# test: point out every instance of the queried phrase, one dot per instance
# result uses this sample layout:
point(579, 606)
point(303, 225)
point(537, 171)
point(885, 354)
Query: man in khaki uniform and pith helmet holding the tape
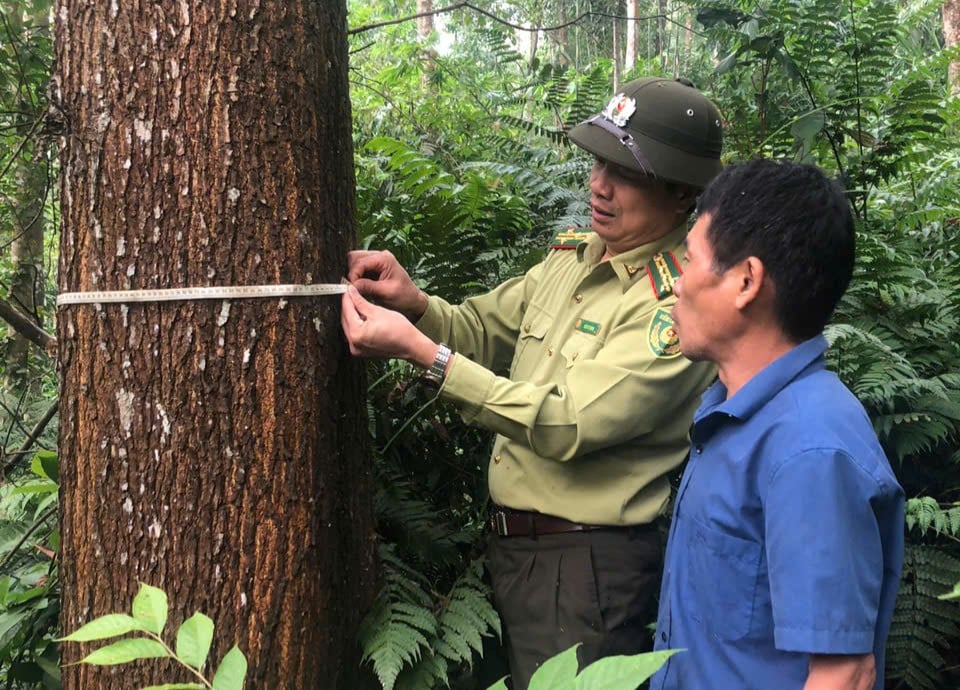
point(598, 401)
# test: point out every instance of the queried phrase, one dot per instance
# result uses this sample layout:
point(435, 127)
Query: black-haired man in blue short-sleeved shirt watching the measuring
point(787, 537)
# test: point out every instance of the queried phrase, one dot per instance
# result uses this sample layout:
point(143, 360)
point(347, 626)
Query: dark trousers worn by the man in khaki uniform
point(595, 588)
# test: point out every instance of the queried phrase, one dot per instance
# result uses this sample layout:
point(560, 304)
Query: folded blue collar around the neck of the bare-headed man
point(763, 386)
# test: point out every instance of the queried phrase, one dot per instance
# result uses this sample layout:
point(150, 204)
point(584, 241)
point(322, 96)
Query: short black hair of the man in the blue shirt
point(798, 222)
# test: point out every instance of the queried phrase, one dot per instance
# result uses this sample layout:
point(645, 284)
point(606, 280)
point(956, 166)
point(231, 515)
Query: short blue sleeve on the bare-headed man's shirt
point(824, 554)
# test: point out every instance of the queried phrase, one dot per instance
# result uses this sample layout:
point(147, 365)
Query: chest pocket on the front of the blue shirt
point(722, 576)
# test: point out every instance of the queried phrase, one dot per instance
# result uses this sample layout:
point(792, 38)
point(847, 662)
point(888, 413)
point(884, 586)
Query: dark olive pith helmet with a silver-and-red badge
point(659, 127)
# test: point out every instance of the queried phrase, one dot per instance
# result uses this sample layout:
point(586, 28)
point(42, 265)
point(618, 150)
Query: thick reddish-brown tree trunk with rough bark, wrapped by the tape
point(213, 449)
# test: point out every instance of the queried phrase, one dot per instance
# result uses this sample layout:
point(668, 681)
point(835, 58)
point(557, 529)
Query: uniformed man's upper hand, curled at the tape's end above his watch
point(380, 276)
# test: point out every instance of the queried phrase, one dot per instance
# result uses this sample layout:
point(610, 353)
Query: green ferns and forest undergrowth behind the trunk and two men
point(464, 173)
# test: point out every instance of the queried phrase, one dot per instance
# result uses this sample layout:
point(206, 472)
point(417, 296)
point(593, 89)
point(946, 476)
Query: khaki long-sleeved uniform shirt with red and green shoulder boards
point(595, 411)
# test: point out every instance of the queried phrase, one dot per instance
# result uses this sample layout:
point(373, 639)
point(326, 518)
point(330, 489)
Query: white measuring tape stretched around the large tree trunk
point(185, 294)
